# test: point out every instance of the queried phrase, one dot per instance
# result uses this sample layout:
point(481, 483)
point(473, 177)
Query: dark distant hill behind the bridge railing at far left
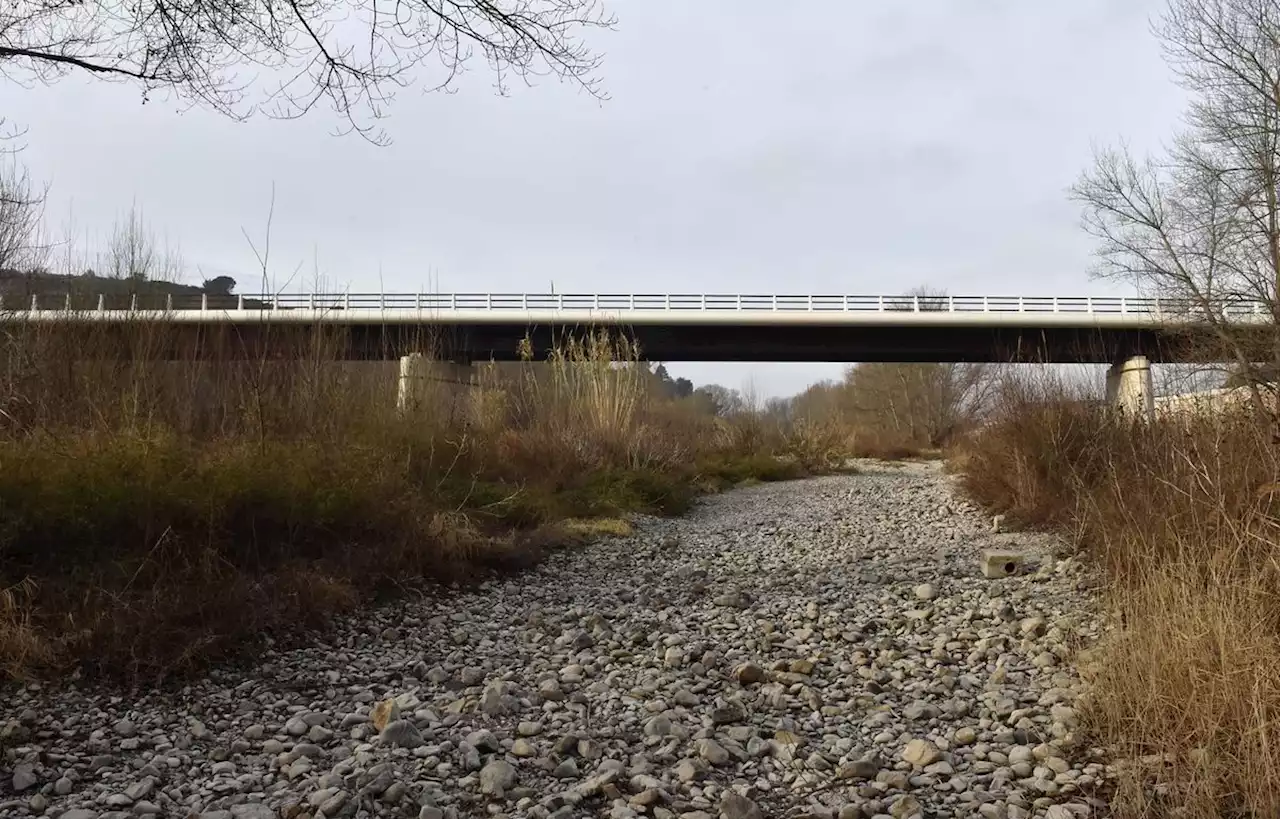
point(17, 289)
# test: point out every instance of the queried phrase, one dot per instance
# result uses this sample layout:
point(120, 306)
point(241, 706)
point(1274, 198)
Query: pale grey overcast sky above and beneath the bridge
point(856, 148)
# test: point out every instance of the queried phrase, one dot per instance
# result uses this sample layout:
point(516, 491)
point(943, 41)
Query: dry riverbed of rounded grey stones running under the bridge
point(824, 648)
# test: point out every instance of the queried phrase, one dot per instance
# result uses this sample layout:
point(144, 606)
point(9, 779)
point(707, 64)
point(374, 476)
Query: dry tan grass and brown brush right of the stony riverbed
point(1185, 520)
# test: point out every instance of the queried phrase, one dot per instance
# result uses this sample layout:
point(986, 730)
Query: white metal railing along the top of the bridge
point(615, 303)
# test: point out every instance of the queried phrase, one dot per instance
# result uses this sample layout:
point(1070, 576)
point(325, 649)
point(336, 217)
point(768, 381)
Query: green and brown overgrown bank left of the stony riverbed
point(157, 518)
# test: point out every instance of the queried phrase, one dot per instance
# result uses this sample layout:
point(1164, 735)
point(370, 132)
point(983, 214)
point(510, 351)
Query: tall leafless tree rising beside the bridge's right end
point(1201, 226)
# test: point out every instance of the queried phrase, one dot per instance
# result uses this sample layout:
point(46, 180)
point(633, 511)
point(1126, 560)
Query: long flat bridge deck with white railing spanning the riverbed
point(775, 328)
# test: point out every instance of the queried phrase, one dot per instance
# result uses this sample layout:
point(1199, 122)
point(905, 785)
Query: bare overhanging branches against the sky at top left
point(349, 54)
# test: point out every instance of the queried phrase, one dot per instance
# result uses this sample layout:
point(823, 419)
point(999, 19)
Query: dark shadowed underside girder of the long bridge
point(671, 342)
